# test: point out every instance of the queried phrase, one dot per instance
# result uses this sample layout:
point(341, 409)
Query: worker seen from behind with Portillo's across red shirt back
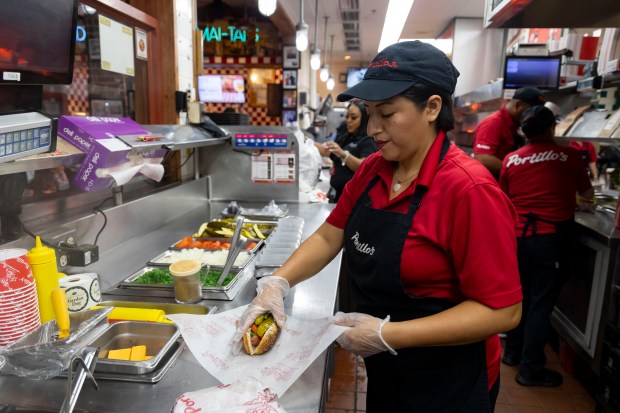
point(542, 180)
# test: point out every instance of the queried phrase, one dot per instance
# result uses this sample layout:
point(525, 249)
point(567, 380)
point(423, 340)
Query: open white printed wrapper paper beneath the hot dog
point(299, 344)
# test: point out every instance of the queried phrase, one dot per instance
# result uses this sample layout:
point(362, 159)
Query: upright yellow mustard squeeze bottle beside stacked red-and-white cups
point(43, 264)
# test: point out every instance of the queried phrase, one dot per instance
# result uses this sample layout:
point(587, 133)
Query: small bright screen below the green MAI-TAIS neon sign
point(221, 89)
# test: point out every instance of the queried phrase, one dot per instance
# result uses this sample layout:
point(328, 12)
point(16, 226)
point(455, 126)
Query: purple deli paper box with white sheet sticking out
point(96, 136)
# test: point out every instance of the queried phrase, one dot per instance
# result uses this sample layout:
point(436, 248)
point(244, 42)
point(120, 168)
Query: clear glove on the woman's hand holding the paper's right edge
point(364, 337)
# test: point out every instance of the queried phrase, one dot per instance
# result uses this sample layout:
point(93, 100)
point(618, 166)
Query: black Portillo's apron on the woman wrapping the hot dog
point(422, 379)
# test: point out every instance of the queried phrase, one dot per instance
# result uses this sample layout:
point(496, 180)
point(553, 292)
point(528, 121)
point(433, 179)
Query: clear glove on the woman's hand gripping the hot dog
point(270, 298)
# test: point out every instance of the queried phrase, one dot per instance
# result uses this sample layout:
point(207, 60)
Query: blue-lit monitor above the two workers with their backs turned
point(542, 72)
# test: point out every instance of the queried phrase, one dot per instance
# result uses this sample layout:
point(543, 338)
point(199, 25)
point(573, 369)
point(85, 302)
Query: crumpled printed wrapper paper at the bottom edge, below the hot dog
point(247, 396)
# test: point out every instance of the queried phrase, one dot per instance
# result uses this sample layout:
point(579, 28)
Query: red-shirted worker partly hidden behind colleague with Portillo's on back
point(497, 134)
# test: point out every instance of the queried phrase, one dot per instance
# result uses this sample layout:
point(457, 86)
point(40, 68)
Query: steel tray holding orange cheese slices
point(158, 338)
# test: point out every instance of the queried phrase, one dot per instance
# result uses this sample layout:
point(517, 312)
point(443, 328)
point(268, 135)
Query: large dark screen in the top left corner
point(37, 41)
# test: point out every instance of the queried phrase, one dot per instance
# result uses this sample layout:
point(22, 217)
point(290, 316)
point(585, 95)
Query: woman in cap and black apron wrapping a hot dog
point(431, 287)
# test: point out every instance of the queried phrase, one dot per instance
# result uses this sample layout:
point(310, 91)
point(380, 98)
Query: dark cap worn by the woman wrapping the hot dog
point(400, 66)
